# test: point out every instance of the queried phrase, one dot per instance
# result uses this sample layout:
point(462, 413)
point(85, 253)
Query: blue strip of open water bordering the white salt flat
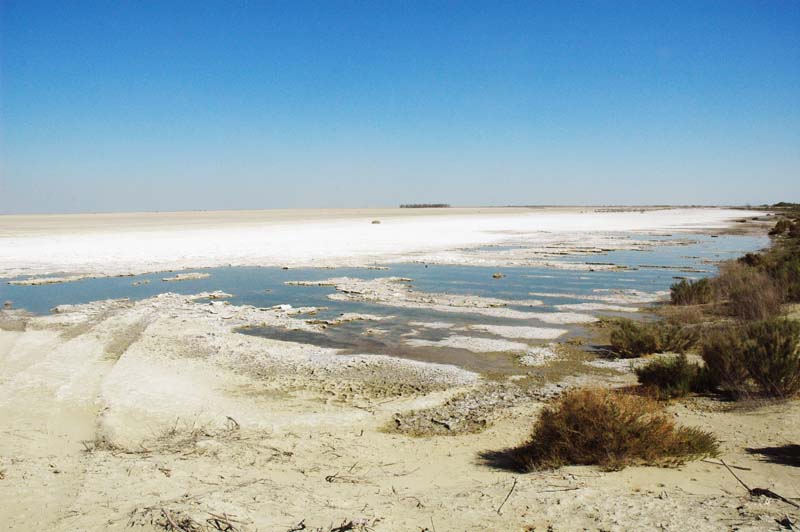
point(649, 271)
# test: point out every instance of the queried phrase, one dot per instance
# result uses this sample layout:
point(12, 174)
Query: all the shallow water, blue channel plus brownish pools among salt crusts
point(647, 271)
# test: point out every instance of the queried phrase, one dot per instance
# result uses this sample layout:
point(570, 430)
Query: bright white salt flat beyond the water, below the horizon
point(115, 244)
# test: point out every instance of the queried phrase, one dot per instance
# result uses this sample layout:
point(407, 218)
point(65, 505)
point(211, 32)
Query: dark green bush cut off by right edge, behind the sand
point(771, 354)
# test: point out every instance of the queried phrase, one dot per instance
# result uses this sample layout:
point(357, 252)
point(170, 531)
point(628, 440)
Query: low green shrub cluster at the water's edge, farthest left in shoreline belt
point(631, 339)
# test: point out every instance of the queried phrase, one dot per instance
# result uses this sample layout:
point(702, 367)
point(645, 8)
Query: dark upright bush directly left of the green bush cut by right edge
point(724, 370)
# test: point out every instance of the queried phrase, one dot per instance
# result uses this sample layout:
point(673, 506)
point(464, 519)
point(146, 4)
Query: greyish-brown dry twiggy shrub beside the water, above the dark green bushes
point(751, 294)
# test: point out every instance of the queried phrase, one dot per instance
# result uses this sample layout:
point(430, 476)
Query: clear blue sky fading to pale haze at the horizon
point(168, 105)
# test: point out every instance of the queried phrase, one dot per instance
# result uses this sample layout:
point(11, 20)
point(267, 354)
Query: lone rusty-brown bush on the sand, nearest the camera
point(612, 430)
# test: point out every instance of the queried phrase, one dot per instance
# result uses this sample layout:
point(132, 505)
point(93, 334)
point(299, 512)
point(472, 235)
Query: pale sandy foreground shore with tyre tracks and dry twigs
point(118, 414)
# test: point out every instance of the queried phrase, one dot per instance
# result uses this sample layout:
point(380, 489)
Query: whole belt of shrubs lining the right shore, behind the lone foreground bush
point(747, 349)
